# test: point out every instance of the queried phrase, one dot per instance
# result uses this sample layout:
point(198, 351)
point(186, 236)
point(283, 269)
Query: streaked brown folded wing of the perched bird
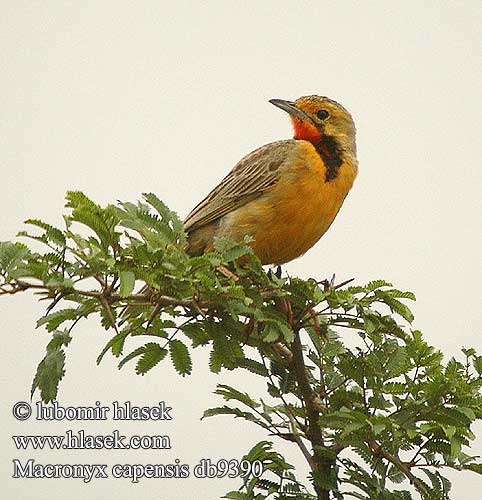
point(251, 177)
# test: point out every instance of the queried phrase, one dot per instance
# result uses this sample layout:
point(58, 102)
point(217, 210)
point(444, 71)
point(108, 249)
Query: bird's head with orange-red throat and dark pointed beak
point(315, 117)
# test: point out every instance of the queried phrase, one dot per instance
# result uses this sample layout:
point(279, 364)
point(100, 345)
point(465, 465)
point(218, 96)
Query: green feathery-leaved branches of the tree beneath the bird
point(345, 372)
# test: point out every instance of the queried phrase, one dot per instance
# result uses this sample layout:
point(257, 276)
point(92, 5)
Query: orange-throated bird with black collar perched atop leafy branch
point(287, 193)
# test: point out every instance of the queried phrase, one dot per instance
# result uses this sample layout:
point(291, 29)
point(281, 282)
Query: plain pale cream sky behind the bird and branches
point(119, 98)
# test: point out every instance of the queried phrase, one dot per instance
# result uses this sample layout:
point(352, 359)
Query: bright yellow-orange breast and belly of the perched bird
point(289, 219)
